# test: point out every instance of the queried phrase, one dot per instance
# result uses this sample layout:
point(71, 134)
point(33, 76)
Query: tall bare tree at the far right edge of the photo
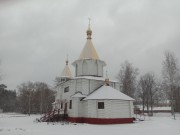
point(171, 78)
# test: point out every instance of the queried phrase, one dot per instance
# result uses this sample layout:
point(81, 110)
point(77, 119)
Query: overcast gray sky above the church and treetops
point(37, 35)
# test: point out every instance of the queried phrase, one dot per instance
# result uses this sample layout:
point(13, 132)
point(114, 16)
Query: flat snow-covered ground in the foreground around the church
point(18, 124)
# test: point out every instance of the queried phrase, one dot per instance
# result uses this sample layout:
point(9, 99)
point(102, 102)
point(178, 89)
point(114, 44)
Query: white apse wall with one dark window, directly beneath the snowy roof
point(112, 109)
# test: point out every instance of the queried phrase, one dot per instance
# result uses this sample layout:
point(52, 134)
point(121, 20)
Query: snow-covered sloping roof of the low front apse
point(107, 92)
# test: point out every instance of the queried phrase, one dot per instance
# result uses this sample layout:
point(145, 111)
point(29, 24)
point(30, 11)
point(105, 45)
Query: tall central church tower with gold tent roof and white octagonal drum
point(89, 63)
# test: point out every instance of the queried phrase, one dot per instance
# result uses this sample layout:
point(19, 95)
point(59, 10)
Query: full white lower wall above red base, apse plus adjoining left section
point(89, 109)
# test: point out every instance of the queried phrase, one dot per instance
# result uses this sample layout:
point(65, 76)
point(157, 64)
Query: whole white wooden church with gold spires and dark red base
point(88, 96)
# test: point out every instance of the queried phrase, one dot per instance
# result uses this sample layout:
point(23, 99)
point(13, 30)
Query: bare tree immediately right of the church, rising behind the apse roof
point(127, 78)
